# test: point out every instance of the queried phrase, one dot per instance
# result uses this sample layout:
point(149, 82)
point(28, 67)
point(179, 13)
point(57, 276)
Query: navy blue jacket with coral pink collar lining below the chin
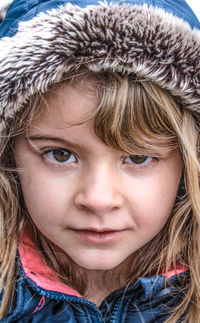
point(41, 298)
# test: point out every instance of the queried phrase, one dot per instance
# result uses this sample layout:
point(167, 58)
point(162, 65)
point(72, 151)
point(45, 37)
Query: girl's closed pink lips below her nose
point(99, 236)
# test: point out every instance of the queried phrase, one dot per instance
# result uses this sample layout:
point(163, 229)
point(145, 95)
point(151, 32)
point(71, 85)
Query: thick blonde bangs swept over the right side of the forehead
point(135, 115)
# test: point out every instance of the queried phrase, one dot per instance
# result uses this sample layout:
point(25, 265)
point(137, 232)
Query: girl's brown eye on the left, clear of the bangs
point(60, 156)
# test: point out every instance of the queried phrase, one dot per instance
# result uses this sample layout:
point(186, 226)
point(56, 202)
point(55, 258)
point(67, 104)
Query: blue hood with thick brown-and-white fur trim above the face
point(160, 42)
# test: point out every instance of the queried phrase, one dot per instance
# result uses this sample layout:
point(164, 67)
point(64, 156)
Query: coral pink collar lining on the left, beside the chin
point(37, 271)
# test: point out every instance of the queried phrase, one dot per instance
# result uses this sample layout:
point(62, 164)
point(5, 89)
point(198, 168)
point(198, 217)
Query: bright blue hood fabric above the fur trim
point(23, 10)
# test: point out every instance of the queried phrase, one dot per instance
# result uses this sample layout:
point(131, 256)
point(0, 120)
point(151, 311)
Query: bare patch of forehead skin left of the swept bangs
point(67, 103)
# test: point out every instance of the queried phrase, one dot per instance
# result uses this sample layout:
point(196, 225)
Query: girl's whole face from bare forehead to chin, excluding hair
point(96, 204)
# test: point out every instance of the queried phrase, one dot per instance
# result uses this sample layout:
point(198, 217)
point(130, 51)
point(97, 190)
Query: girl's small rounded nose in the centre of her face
point(99, 191)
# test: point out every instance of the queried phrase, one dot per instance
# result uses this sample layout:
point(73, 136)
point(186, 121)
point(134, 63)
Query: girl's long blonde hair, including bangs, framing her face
point(132, 115)
